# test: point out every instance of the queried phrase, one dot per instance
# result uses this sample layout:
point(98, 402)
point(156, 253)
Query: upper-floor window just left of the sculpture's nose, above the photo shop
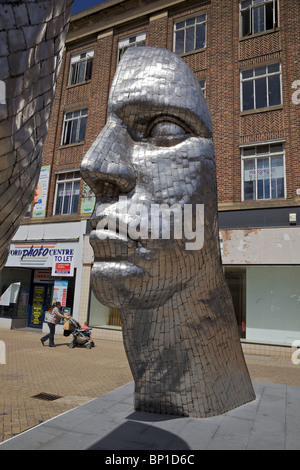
point(67, 193)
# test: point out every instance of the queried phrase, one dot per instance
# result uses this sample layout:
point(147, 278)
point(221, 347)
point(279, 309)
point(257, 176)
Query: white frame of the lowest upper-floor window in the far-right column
point(258, 156)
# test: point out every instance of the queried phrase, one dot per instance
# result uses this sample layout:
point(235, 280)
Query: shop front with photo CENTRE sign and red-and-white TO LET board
point(36, 275)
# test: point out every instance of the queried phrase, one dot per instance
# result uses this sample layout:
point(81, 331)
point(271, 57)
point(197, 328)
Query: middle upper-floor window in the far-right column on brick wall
point(261, 87)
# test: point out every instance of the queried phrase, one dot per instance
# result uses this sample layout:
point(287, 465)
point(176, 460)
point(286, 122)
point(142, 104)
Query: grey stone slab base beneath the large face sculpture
point(109, 422)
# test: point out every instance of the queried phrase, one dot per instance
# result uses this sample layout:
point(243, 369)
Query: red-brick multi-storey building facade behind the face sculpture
point(246, 56)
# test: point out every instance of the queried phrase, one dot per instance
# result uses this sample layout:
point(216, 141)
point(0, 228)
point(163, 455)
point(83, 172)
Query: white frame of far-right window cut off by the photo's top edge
point(254, 4)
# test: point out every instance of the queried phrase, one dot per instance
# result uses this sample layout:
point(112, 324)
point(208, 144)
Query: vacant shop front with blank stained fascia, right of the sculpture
point(262, 268)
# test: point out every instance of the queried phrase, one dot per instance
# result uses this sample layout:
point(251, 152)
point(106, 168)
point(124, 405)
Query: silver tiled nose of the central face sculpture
point(109, 160)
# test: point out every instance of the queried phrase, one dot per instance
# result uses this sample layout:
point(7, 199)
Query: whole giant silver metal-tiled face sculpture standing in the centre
point(179, 326)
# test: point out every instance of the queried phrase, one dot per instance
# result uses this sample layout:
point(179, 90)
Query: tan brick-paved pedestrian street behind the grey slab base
point(80, 375)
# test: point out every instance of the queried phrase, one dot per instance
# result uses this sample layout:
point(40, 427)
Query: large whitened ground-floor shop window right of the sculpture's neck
point(269, 298)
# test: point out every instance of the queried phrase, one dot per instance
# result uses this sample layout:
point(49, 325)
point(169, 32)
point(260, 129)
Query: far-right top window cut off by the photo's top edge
point(257, 16)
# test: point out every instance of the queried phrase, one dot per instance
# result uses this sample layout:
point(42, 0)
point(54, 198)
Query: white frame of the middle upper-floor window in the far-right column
point(257, 77)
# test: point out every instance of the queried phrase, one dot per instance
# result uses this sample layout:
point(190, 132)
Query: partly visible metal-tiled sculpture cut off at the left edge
point(32, 36)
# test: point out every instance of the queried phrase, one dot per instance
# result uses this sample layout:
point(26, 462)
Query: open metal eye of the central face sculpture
point(167, 132)
